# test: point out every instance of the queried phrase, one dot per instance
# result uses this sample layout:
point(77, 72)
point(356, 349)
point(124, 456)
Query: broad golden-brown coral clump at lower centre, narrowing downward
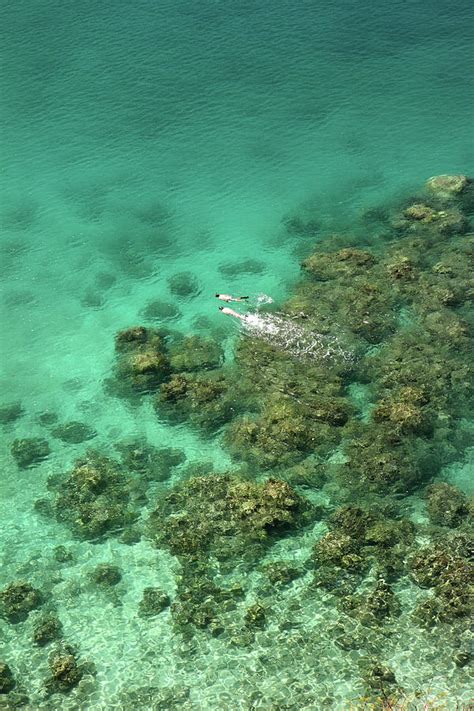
point(220, 516)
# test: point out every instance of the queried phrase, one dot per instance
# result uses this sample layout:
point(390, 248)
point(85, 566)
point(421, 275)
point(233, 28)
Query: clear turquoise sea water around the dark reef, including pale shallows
point(140, 142)
